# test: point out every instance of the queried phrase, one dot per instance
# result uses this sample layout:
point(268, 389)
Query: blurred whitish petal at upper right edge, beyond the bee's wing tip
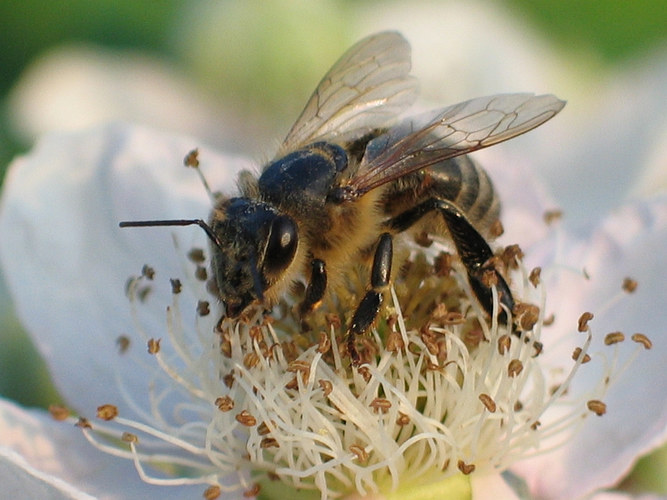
point(603, 146)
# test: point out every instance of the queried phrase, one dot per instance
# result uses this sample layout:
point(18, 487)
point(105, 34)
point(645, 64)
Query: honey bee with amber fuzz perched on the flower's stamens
point(350, 178)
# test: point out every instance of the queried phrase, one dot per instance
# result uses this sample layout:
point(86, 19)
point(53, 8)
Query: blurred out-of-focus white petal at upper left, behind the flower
point(76, 87)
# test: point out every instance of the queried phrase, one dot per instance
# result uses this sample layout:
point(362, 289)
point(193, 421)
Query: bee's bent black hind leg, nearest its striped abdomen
point(472, 248)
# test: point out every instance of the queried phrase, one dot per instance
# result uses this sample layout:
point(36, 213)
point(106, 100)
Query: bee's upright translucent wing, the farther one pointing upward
point(367, 87)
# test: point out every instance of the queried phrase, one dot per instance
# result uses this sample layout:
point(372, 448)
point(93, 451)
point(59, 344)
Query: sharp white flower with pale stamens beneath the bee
point(67, 262)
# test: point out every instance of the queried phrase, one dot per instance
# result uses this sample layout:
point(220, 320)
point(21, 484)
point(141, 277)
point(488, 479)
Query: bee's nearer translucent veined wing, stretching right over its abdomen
point(425, 140)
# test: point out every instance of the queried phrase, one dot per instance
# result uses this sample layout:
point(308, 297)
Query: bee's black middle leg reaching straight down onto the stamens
point(369, 306)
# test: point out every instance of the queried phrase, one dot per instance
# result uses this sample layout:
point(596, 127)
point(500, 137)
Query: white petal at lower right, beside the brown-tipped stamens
point(631, 243)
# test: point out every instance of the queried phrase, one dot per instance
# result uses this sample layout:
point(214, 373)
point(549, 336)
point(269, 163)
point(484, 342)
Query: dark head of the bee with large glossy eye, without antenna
point(253, 247)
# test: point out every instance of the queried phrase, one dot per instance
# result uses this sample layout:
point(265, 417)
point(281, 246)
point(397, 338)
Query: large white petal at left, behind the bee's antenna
point(66, 260)
